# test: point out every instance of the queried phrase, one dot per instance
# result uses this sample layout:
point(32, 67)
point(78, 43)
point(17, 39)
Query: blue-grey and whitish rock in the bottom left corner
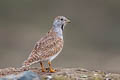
point(26, 75)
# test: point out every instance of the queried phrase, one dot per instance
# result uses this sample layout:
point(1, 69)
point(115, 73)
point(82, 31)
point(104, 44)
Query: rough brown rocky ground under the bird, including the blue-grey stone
point(60, 74)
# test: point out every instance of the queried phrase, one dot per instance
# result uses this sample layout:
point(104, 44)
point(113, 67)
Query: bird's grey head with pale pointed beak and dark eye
point(60, 22)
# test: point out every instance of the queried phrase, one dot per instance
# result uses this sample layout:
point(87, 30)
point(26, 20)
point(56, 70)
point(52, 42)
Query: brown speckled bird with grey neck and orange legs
point(49, 46)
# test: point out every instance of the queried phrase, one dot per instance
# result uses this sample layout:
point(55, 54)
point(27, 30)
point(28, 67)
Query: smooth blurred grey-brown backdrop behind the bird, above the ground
point(92, 40)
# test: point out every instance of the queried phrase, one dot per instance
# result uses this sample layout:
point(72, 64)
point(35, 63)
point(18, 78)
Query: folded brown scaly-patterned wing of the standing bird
point(45, 47)
